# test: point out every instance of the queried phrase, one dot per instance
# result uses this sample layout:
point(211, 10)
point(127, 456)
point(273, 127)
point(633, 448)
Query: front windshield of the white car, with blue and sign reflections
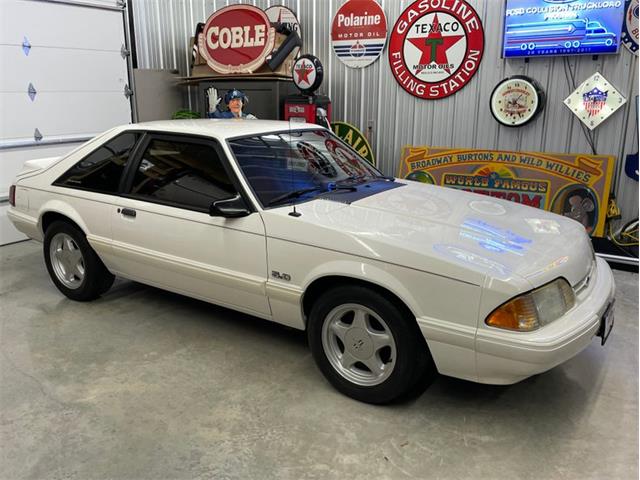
point(299, 165)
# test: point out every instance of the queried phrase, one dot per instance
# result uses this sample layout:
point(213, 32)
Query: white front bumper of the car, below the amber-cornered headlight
point(507, 357)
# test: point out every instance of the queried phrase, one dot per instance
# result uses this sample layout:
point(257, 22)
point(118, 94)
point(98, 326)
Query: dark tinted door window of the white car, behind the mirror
point(182, 173)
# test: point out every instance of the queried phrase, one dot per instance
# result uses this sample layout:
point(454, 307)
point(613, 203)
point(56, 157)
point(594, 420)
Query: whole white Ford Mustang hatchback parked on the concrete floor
point(392, 280)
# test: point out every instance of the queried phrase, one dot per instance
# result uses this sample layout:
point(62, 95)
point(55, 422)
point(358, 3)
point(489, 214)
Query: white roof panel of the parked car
point(221, 128)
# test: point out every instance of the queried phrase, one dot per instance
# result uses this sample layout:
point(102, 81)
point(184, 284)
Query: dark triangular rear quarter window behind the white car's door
point(100, 171)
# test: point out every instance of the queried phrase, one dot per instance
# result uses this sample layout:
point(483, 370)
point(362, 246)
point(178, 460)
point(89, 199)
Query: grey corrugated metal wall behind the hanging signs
point(371, 99)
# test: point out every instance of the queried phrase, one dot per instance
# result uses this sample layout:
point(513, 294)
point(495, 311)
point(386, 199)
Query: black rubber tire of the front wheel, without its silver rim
point(411, 351)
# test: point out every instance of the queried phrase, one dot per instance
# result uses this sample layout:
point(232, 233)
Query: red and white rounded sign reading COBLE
point(237, 39)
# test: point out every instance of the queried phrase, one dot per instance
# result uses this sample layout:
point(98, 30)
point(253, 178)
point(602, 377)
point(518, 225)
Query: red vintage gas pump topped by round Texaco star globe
point(308, 107)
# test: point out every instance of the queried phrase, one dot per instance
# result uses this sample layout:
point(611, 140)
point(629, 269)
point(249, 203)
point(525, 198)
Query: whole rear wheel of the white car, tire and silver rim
point(72, 264)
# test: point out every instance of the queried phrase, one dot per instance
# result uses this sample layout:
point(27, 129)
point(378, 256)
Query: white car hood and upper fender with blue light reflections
point(443, 231)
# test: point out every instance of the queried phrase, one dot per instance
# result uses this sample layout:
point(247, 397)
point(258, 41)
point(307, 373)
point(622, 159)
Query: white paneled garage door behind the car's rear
point(63, 81)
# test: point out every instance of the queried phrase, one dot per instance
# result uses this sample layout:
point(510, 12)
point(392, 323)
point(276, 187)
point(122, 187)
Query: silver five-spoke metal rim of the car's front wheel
point(367, 339)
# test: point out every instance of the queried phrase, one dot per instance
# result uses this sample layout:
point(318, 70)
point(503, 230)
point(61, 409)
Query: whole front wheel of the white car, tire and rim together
point(367, 347)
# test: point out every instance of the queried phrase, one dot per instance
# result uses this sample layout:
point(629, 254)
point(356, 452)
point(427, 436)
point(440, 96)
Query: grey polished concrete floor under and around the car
point(144, 384)
